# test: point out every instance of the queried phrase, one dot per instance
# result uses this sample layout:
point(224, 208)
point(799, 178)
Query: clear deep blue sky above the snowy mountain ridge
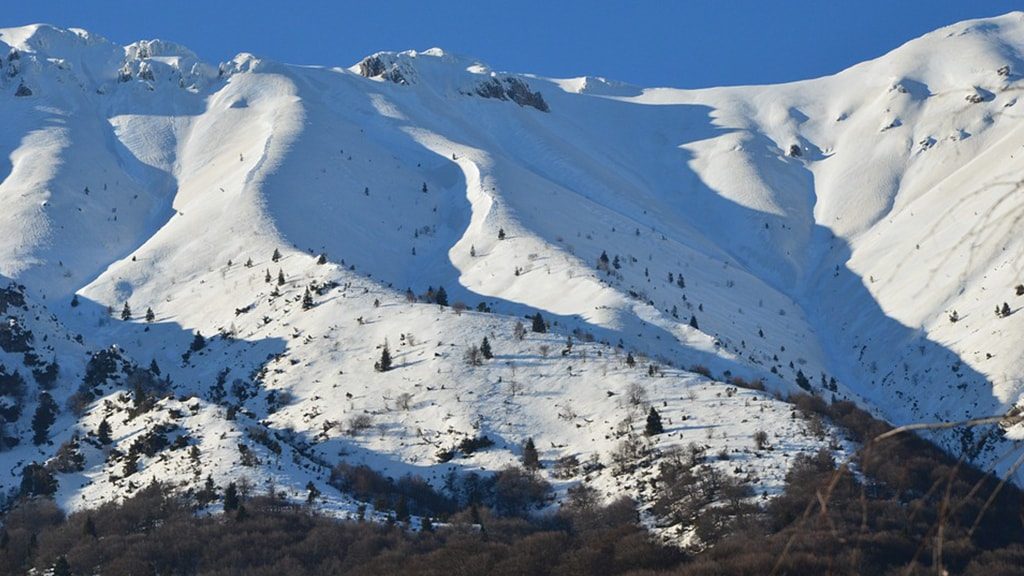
point(685, 44)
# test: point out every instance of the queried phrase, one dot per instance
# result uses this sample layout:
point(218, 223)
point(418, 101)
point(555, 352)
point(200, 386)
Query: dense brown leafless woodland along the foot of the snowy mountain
point(910, 510)
